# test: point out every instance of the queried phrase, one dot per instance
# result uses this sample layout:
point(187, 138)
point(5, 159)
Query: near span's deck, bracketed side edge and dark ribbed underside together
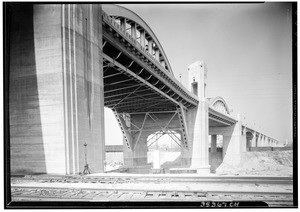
point(138, 79)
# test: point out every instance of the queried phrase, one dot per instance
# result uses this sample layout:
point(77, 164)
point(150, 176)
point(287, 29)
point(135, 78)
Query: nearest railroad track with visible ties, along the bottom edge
point(92, 195)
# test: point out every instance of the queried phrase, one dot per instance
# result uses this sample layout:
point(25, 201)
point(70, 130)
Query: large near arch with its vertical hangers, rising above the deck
point(119, 13)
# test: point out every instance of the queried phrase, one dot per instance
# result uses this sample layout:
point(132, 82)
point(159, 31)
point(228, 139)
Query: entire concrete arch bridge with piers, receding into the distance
point(69, 61)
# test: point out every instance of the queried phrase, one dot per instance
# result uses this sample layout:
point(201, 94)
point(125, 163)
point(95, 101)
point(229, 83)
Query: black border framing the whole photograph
point(130, 205)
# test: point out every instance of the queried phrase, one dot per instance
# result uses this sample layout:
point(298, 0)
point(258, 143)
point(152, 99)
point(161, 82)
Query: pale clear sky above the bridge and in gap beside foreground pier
point(248, 52)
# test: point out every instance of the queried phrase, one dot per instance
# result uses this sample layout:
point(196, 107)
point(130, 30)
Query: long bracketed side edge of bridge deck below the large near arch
point(164, 73)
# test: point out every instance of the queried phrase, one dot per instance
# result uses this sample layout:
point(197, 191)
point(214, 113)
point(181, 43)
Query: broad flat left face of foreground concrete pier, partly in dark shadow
point(35, 91)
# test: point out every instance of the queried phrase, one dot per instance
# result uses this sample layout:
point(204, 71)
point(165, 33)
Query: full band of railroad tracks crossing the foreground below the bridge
point(131, 188)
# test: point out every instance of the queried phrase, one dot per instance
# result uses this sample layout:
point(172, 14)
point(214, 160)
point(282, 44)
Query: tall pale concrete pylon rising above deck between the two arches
point(197, 119)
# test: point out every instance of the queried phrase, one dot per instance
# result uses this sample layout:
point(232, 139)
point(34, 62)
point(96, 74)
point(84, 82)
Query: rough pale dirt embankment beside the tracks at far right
point(268, 163)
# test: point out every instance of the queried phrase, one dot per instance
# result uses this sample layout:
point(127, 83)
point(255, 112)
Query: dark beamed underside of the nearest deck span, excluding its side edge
point(126, 93)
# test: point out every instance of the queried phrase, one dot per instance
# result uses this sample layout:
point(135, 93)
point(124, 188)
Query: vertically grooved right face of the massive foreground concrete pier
point(83, 85)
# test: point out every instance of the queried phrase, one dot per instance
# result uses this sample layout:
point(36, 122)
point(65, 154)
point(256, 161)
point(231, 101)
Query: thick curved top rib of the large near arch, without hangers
point(118, 11)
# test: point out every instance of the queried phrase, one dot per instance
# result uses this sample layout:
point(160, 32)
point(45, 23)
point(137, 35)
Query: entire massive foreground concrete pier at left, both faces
point(56, 88)
